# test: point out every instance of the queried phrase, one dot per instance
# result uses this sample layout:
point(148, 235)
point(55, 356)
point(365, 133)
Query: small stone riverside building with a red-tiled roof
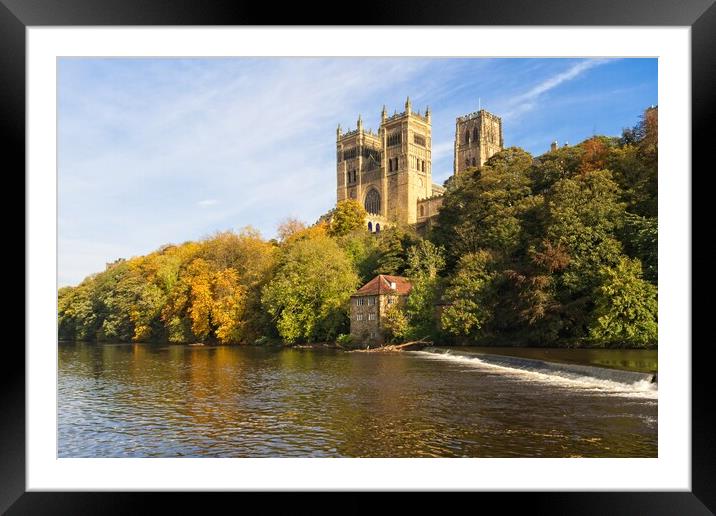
point(370, 304)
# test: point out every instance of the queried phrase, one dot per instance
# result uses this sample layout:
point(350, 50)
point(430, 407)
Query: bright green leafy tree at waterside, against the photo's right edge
point(626, 307)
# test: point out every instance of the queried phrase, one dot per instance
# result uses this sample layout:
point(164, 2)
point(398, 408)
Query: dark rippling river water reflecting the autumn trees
point(137, 400)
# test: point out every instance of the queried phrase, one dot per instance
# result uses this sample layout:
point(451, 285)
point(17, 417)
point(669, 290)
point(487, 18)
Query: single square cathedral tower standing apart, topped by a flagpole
point(478, 136)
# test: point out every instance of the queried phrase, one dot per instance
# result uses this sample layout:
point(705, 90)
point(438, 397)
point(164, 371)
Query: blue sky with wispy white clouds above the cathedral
point(156, 151)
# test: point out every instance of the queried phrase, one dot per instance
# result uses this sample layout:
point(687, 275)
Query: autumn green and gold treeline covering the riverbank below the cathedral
point(558, 250)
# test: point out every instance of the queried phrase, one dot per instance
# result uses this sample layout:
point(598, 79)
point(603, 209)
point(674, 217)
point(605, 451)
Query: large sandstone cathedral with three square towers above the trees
point(390, 172)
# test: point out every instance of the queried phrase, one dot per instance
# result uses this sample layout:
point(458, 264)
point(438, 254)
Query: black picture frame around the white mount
point(17, 15)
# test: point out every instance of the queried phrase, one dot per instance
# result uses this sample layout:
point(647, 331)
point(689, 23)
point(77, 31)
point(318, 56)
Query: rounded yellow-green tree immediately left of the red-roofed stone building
point(308, 296)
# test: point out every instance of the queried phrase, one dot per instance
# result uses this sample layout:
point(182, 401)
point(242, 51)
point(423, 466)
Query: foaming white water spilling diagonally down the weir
point(641, 389)
